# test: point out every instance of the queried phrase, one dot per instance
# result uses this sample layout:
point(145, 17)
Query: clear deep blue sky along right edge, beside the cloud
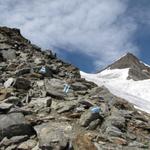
point(141, 11)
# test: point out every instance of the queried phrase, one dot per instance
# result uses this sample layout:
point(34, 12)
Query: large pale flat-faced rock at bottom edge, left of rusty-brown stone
point(54, 135)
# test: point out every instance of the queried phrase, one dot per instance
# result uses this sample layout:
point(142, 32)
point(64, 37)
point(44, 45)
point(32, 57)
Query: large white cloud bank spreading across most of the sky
point(98, 28)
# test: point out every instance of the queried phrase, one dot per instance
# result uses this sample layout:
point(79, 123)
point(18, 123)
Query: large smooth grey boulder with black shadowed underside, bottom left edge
point(14, 124)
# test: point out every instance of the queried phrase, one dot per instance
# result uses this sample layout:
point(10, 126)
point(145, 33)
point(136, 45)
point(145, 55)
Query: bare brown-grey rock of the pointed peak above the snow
point(137, 71)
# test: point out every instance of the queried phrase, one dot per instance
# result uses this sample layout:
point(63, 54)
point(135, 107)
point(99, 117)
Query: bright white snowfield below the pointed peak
point(136, 92)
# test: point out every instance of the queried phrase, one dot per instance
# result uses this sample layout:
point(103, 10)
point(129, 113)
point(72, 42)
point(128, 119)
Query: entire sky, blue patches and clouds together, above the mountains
point(89, 34)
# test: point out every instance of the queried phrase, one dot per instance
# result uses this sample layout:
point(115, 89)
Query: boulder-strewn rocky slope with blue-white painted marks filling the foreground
point(36, 114)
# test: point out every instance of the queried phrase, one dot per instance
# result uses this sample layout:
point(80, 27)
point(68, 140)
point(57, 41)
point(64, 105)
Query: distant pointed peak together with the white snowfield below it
point(128, 78)
